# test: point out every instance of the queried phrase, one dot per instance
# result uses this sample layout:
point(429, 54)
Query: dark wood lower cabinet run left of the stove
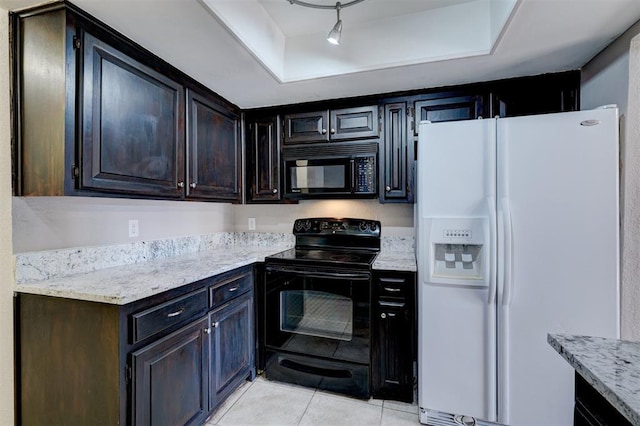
point(170, 359)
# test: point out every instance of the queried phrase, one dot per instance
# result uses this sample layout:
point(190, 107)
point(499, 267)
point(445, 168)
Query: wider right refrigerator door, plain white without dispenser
point(558, 239)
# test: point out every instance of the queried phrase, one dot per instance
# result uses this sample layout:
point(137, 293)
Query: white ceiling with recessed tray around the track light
point(270, 52)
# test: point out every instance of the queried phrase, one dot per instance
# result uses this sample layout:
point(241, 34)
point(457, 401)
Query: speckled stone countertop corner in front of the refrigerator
point(611, 366)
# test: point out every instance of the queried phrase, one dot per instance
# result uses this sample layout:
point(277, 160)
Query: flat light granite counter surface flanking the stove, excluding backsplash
point(136, 281)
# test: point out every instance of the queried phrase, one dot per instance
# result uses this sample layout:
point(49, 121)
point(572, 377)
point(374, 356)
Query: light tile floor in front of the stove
point(263, 402)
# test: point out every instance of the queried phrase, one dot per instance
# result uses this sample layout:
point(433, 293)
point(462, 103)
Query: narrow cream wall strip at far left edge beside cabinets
point(6, 257)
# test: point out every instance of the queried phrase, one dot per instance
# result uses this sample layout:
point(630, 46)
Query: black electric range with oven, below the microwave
point(317, 306)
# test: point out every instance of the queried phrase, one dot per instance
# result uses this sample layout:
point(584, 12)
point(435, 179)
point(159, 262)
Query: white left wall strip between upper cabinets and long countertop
point(45, 223)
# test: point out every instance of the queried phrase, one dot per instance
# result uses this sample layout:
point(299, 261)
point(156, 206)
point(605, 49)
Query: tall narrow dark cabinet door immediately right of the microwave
point(396, 171)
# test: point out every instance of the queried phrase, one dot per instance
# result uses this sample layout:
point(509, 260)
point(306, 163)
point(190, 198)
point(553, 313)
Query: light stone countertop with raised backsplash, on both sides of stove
point(126, 273)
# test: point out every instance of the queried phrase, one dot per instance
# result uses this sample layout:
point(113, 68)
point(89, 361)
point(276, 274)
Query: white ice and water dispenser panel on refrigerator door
point(458, 251)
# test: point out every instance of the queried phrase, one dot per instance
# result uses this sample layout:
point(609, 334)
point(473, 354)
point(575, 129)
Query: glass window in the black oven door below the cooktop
point(316, 313)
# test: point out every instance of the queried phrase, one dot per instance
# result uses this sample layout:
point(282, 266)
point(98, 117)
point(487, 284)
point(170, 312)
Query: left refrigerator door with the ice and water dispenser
point(457, 314)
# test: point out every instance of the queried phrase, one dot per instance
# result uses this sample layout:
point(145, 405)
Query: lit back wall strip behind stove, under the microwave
point(396, 219)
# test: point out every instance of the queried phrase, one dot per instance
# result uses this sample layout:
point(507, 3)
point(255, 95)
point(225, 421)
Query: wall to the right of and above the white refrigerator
point(613, 77)
